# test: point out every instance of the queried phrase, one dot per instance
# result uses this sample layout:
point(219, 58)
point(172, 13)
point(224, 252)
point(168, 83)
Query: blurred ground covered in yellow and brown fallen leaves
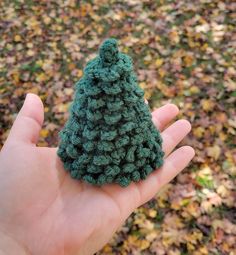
point(184, 53)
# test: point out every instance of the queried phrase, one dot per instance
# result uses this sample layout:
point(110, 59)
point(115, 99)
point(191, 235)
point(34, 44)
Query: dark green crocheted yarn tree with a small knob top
point(109, 136)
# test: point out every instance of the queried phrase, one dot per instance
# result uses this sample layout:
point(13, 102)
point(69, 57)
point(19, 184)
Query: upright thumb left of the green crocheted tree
point(28, 122)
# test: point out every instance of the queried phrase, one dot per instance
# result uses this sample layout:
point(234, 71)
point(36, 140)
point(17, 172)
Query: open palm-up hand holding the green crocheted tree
point(45, 211)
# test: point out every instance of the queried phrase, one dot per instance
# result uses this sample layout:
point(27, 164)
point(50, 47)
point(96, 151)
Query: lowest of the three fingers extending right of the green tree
point(173, 164)
